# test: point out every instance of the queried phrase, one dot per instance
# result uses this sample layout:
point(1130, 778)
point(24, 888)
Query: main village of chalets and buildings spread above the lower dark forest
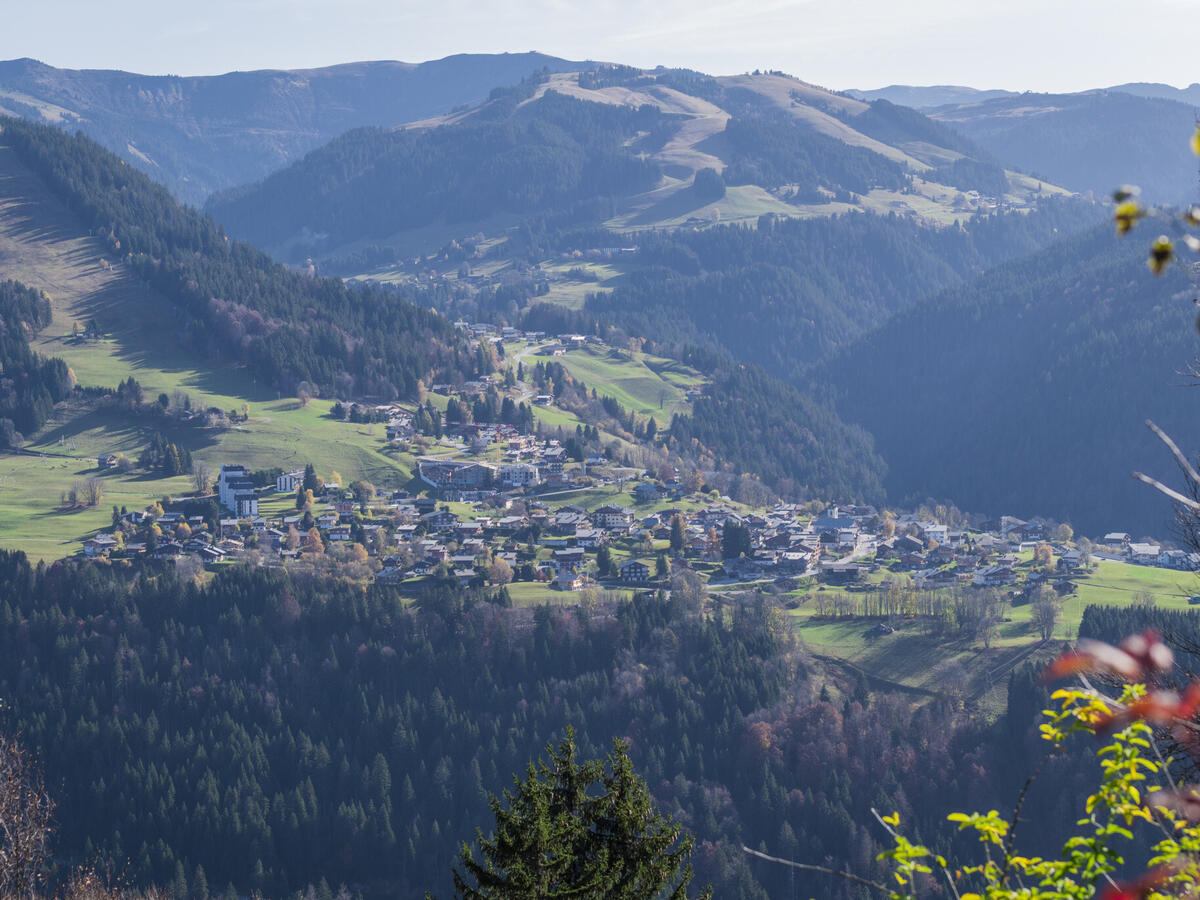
point(415, 537)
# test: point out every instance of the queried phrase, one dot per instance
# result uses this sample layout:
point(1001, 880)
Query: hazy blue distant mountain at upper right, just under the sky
point(1088, 142)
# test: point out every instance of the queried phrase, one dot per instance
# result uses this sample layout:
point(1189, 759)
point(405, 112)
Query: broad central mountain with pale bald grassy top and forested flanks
point(627, 148)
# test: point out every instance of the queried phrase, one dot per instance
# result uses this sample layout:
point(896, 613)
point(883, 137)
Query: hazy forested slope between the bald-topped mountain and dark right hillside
point(790, 292)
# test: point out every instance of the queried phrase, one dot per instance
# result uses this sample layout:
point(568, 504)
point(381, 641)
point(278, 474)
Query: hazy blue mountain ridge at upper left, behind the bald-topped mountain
point(200, 135)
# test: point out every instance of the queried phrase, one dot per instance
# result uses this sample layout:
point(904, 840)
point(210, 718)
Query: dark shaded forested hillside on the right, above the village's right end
point(1025, 392)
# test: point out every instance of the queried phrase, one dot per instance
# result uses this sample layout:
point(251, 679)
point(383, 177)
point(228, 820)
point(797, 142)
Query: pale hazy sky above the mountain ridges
point(1018, 45)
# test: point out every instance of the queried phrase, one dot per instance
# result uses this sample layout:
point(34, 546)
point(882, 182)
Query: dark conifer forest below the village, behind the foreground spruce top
point(271, 733)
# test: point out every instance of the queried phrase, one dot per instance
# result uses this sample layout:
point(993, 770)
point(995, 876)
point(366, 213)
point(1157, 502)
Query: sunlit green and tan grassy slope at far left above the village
point(41, 247)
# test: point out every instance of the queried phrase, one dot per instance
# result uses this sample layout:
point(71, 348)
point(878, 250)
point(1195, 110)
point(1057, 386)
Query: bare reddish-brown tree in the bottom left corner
point(26, 812)
